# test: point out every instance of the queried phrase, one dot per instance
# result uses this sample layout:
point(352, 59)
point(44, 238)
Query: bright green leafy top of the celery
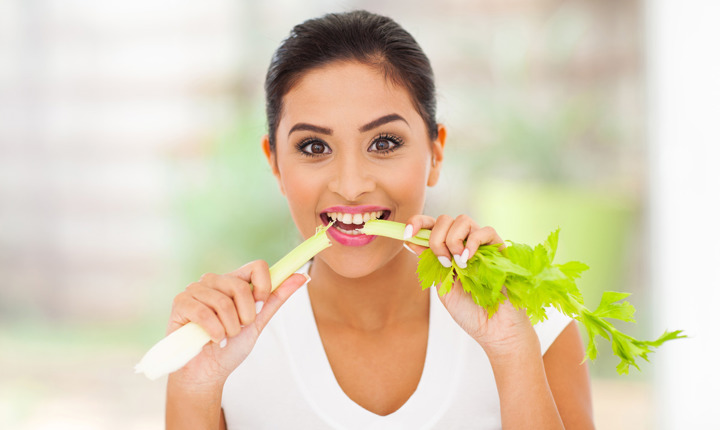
point(532, 282)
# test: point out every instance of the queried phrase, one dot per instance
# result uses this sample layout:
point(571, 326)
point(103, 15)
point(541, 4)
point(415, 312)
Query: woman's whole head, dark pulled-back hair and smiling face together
point(353, 135)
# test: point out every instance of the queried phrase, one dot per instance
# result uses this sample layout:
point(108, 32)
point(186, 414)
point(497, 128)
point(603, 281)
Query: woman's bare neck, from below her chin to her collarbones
point(389, 294)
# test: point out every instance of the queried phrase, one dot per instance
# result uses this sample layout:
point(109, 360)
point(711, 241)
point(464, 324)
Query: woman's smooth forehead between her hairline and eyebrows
point(345, 94)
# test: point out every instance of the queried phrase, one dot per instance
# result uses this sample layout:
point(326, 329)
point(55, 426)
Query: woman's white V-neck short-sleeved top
point(287, 383)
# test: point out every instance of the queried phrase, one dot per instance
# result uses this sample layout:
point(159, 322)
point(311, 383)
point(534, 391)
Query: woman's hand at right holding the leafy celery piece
point(457, 239)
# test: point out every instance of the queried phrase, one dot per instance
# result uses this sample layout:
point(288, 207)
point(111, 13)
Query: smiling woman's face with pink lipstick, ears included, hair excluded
point(351, 146)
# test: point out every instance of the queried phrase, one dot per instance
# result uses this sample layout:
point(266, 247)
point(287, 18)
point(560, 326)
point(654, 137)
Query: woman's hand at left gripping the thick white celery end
point(233, 312)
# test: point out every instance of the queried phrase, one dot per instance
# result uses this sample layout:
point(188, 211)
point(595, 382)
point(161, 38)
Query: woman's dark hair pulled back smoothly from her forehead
point(361, 36)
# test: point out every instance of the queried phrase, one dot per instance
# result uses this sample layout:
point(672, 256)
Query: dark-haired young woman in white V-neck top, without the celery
point(352, 136)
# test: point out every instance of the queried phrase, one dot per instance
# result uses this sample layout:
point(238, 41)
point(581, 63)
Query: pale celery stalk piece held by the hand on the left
point(180, 346)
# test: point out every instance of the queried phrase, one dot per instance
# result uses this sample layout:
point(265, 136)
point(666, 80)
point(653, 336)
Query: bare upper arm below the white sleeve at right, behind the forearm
point(569, 378)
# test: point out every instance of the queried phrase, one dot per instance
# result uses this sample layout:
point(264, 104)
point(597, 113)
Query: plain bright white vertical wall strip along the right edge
point(684, 147)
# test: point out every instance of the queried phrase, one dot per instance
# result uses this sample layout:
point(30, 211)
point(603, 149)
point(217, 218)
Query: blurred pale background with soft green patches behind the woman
point(130, 164)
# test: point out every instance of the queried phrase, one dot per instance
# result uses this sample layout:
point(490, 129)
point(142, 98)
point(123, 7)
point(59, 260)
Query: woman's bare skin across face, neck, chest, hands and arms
point(371, 314)
